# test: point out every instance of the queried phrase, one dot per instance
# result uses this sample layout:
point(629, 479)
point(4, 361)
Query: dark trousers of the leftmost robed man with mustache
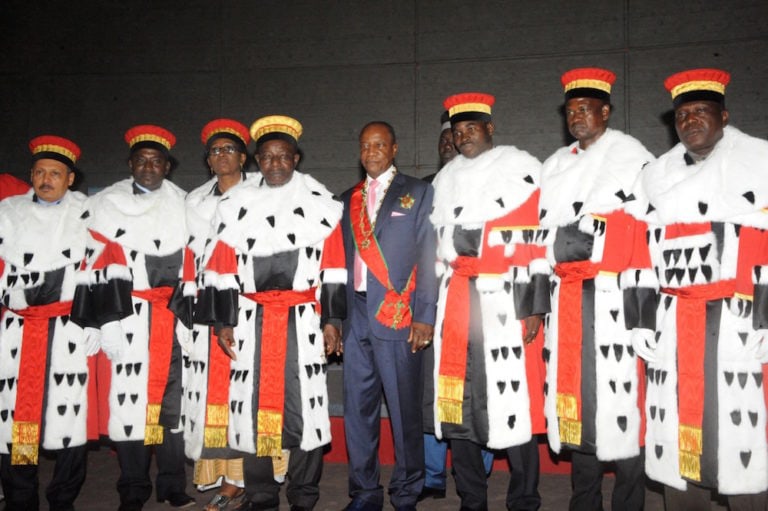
point(20, 482)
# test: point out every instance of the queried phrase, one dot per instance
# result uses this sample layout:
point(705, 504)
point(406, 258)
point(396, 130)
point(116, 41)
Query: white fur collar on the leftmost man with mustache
point(38, 237)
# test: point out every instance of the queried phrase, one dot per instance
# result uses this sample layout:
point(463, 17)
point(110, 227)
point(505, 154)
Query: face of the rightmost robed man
point(699, 125)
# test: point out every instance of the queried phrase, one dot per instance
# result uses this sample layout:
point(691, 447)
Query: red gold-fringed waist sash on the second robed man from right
point(569, 343)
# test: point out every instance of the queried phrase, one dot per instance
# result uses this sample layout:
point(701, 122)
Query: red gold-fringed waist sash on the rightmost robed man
point(691, 317)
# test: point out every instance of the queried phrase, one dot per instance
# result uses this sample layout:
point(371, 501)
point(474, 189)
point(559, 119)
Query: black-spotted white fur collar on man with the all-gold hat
point(261, 221)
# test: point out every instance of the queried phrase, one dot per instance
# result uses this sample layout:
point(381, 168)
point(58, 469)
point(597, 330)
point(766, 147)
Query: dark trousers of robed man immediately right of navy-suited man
point(471, 480)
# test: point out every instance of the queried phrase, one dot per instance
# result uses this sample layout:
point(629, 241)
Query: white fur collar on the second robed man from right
point(598, 180)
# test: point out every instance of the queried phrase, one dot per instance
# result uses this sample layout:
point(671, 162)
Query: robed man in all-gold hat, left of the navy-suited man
point(272, 285)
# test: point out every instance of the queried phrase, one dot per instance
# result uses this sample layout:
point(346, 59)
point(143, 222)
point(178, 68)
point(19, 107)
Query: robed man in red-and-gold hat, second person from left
point(134, 263)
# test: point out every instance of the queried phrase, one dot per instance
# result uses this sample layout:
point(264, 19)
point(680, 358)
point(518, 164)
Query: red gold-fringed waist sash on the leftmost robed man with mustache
point(30, 390)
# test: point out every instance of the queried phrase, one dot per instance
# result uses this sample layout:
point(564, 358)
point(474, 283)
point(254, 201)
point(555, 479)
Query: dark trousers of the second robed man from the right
point(587, 477)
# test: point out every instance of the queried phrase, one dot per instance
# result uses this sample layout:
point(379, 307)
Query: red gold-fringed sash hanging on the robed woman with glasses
point(217, 408)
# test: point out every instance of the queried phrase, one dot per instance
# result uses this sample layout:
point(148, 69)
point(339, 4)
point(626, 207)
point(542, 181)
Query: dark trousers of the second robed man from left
point(134, 458)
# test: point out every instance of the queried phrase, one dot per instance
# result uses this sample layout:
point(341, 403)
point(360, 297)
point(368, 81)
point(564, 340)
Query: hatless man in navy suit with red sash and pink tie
point(391, 292)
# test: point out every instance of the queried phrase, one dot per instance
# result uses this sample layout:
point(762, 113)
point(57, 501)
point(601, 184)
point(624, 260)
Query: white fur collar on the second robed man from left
point(152, 223)
